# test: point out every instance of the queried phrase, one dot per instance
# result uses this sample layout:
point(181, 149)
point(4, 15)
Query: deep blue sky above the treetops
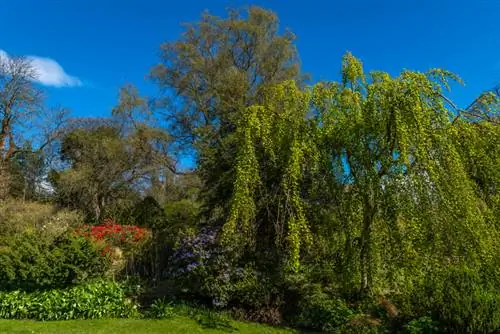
point(96, 46)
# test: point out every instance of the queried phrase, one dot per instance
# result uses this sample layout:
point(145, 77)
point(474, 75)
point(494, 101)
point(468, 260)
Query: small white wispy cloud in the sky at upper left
point(49, 72)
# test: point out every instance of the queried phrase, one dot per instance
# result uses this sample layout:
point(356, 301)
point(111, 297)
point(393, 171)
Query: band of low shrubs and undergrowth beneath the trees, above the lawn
point(54, 278)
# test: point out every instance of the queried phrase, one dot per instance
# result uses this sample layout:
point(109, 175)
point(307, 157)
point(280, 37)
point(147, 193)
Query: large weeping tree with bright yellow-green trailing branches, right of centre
point(383, 149)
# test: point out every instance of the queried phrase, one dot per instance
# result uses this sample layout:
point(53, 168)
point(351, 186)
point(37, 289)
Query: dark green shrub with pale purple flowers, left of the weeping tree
point(205, 270)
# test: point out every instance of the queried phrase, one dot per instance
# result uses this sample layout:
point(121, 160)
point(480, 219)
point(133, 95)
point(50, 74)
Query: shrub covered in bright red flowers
point(127, 237)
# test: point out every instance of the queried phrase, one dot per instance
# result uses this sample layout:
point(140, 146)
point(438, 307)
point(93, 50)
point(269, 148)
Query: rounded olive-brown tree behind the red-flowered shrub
point(105, 165)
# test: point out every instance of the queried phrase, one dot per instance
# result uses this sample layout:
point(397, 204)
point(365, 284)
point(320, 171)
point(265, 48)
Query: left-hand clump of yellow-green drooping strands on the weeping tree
point(274, 135)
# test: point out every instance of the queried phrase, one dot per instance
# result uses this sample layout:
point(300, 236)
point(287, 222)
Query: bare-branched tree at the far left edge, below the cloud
point(27, 126)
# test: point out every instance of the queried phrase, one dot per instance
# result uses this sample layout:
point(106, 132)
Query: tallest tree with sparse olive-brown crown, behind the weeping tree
point(215, 72)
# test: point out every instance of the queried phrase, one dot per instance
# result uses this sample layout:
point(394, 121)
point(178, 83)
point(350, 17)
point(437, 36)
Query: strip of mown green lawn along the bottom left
point(123, 326)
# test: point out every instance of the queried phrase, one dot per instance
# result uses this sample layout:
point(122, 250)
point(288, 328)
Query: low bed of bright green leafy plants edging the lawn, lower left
point(93, 300)
